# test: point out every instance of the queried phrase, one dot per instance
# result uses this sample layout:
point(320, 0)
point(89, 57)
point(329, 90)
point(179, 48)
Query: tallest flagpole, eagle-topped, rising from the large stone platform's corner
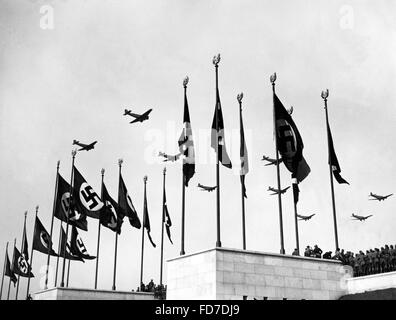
point(216, 61)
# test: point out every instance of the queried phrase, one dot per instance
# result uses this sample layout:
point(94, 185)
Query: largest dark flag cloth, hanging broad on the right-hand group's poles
point(290, 144)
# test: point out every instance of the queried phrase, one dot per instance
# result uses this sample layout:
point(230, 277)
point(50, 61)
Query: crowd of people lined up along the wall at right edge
point(363, 263)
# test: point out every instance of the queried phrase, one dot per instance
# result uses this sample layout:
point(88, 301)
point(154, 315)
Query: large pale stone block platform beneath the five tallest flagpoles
point(224, 274)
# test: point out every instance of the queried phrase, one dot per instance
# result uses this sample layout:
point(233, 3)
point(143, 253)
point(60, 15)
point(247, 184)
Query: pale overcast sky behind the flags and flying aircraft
point(68, 69)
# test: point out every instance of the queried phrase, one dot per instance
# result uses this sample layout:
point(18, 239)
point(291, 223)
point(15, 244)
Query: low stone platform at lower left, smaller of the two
point(90, 294)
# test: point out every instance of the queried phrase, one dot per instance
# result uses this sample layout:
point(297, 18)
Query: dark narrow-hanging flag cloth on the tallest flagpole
point(217, 137)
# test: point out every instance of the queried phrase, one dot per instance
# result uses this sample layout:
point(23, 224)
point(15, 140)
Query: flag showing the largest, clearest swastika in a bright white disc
point(85, 197)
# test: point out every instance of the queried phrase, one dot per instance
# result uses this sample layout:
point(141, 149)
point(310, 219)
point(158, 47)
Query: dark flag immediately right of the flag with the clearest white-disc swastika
point(110, 214)
